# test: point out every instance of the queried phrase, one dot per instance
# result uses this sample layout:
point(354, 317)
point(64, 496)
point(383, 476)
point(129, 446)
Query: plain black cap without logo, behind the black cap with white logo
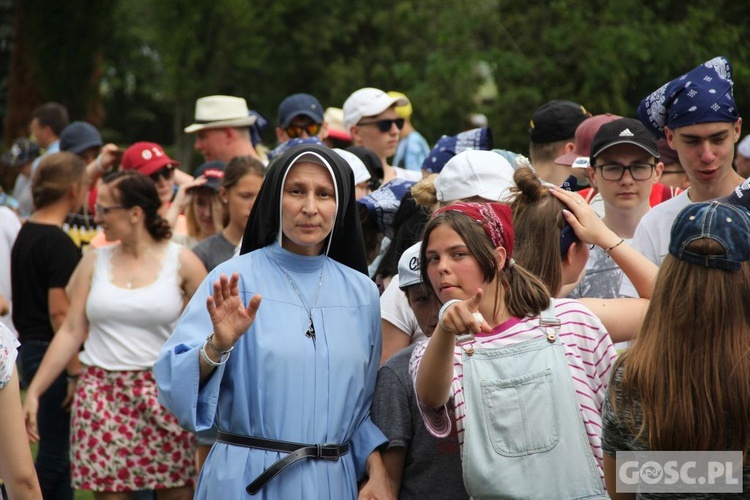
point(556, 121)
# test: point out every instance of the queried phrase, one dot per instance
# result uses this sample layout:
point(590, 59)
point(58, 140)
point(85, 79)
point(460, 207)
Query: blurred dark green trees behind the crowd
point(134, 68)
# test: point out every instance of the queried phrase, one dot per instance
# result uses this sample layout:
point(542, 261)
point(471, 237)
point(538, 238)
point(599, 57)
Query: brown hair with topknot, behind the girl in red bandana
point(538, 220)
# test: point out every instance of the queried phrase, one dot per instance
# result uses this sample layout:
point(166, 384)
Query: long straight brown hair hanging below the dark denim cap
point(689, 367)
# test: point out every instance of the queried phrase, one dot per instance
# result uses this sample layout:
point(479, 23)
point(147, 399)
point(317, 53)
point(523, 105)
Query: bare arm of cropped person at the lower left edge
point(16, 464)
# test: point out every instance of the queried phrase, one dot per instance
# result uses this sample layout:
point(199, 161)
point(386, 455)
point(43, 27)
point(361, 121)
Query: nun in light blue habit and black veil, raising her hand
point(280, 345)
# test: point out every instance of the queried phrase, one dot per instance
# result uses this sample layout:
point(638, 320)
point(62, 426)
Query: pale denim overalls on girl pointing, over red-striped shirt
point(524, 436)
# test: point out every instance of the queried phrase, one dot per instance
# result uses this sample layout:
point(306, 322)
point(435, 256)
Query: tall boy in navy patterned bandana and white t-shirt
point(697, 115)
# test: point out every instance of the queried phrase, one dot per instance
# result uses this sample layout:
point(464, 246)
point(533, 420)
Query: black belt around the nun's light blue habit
point(297, 452)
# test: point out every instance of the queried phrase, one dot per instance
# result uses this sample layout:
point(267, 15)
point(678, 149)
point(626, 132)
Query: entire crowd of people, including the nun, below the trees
point(354, 314)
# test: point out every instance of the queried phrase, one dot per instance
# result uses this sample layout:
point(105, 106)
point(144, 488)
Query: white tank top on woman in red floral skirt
point(127, 327)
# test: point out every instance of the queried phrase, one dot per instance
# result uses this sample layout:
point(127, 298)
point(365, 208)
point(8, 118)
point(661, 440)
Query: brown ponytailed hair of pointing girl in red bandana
point(524, 294)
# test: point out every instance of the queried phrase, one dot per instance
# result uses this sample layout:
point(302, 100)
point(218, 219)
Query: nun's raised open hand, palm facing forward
point(229, 316)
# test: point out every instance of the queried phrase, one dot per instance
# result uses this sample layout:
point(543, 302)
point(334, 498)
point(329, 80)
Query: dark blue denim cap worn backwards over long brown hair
point(726, 224)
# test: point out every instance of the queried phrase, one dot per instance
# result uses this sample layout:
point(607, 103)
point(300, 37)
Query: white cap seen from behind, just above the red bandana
point(475, 173)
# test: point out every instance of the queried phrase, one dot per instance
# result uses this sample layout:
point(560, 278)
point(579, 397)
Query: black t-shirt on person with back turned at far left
point(43, 257)
